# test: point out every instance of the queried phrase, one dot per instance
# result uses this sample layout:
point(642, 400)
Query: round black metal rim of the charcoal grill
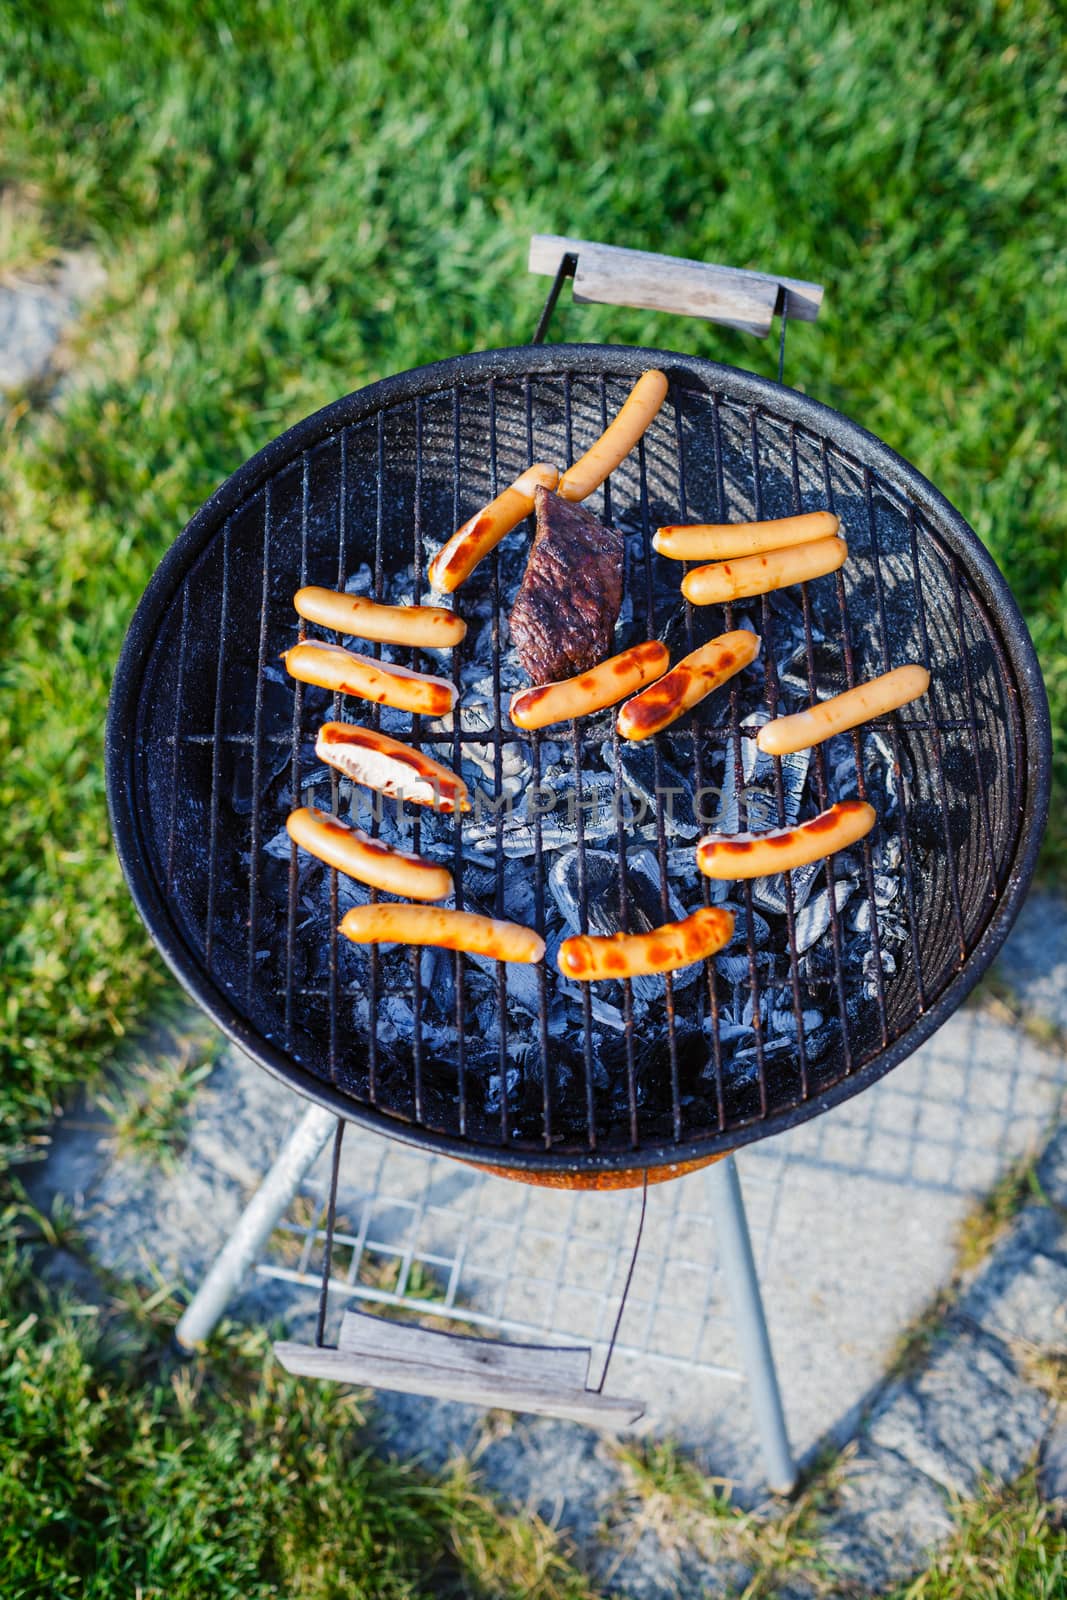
point(519, 362)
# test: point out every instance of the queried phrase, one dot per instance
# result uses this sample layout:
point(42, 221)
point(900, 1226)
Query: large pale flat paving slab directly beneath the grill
point(855, 1217)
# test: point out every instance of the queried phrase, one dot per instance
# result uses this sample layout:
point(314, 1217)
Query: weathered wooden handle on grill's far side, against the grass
point(732, 297)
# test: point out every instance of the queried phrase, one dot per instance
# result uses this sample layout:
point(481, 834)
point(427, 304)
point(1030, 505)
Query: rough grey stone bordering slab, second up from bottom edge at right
point(967, 1414)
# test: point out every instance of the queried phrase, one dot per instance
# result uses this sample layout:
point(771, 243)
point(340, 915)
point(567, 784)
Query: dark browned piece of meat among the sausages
point(569, 601)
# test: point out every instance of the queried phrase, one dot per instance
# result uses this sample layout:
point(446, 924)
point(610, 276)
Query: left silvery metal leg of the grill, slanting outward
point(255, 1226)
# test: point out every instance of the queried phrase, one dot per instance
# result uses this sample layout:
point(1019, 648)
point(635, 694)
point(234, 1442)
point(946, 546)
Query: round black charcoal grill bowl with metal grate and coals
point(209, 748)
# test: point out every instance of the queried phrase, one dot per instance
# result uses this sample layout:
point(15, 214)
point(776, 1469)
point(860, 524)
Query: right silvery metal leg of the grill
point(748, 1306)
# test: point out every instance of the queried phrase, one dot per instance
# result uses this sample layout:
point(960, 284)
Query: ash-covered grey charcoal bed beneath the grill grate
point(513, 817)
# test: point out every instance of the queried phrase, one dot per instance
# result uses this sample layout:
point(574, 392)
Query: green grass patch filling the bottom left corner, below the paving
point(124, 1474)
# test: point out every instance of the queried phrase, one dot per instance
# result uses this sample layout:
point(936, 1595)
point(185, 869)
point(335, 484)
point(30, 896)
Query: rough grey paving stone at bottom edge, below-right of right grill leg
point(889, 1519)
